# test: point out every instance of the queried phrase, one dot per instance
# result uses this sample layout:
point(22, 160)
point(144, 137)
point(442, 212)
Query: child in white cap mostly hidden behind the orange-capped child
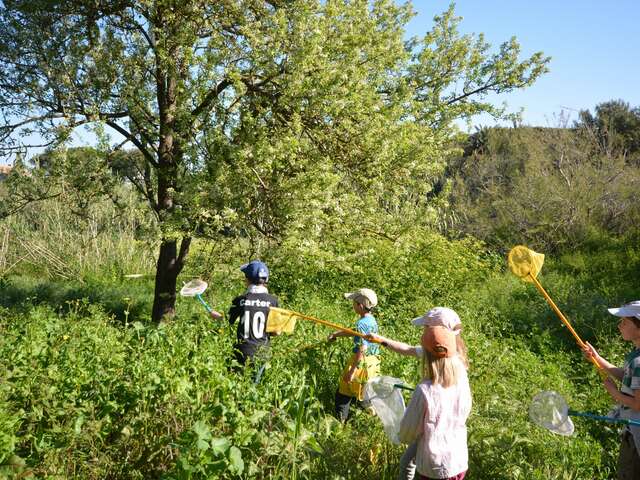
point(437, 316)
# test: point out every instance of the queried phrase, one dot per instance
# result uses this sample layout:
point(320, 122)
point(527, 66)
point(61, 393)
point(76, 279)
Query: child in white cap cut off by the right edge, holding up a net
point(628, 395)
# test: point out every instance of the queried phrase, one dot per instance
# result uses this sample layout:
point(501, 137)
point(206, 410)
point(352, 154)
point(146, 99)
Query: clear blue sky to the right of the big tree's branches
point(594, 45)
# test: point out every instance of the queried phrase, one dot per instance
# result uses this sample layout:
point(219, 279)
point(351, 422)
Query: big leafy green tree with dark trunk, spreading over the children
point(251, 117)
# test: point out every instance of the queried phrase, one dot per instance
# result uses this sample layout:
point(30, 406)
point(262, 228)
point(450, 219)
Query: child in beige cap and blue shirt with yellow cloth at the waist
point(364, 363)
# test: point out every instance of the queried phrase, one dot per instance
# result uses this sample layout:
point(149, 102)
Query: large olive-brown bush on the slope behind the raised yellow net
point(551, 188)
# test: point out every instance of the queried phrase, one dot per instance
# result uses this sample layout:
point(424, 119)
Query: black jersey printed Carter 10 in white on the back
point(251, 311)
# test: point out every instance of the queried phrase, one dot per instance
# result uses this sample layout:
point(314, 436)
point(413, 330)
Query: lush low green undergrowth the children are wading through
point(90, 395)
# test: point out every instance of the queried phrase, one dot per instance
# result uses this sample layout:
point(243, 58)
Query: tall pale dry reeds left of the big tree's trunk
point(53, 240)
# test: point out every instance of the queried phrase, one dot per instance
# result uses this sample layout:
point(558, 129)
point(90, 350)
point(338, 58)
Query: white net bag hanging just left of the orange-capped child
point(387, 401)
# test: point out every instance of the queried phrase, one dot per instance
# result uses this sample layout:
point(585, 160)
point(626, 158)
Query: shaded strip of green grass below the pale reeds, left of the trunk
point(129, 300)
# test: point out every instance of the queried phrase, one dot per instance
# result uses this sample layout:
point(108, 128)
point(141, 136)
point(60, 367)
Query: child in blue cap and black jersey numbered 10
point(251, 310)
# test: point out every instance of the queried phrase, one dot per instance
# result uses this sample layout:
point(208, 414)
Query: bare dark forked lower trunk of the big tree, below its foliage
point(169, 266)
